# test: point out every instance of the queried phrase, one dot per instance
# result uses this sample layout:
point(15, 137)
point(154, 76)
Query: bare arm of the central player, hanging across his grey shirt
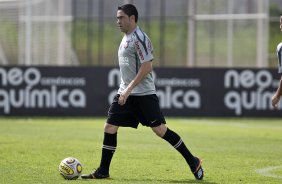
point(144, 70)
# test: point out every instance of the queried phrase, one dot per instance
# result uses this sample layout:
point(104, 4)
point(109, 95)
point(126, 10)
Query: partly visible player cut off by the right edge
point(276, 97)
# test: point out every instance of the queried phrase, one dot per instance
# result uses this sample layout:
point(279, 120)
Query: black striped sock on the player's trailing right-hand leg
point(174, 139)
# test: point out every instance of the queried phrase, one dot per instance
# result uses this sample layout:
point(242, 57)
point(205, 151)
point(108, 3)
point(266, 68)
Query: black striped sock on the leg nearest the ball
point(108, 150)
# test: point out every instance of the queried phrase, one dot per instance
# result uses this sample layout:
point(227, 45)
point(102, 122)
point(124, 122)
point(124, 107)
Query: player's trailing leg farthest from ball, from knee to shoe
point(175, 140)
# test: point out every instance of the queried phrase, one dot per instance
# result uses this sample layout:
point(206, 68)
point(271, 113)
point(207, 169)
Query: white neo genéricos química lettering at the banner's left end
point(27, 88)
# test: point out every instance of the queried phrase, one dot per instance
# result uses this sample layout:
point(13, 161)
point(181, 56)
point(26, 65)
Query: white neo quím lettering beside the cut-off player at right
point(248, 90)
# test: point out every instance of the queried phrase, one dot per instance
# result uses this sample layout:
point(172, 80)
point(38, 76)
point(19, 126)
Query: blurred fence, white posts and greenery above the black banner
point(189, 33)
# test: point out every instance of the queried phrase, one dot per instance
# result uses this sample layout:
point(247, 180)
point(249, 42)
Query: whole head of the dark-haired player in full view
point(127, 17)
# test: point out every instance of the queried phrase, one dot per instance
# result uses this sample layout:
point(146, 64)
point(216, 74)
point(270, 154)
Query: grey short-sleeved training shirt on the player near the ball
point(135, 49)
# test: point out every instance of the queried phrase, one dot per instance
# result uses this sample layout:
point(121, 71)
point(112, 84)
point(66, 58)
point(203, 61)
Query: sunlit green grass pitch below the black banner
point(233, 150)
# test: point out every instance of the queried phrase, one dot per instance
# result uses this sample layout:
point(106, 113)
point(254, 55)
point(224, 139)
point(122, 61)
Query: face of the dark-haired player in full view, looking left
point(124, 22)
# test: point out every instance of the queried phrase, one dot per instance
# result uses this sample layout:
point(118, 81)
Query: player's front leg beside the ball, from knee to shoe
point(108, 150)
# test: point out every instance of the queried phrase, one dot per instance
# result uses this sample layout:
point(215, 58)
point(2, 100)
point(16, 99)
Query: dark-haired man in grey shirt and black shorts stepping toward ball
point(136, 101)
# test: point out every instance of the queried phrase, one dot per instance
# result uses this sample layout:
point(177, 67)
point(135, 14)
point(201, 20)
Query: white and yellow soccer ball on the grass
point(70, 168)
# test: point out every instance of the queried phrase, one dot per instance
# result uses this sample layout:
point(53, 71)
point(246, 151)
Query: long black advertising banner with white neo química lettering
point(88, 91)
